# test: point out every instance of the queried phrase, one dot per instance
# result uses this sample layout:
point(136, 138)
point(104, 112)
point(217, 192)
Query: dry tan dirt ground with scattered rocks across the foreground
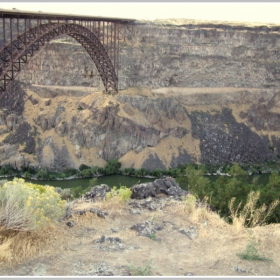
point(172, 244)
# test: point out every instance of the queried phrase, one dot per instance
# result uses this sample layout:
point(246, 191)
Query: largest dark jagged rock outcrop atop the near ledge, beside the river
point(165, 185)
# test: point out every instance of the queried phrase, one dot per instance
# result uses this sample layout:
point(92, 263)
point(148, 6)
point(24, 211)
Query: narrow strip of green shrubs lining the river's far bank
point(113, 167)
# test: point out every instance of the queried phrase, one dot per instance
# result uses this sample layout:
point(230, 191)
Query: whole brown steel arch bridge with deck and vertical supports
point(25, 33)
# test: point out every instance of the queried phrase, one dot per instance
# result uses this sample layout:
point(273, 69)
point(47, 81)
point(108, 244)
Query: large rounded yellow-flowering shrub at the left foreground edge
point(28, 207)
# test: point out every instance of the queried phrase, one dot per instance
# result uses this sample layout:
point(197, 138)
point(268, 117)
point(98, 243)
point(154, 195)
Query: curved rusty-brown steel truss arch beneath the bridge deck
point(25, 45)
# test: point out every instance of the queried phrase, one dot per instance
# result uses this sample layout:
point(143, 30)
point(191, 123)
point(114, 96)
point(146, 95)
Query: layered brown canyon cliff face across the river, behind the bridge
point(190, 92)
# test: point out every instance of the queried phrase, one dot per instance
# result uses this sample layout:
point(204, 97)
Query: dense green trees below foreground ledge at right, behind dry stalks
point(239, 193)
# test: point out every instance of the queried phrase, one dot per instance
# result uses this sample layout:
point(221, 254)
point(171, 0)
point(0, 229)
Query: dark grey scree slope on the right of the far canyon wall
point(223, 139)
